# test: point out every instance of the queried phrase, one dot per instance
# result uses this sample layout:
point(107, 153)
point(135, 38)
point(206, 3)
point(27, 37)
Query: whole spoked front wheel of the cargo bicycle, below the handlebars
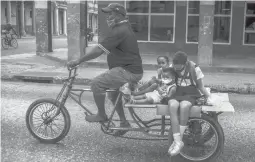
point(37, 121)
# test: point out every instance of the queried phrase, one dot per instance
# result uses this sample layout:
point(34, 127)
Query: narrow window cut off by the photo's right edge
point(249, 25)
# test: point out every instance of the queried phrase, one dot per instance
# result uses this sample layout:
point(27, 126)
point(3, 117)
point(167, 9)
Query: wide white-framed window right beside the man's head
point(152, 21)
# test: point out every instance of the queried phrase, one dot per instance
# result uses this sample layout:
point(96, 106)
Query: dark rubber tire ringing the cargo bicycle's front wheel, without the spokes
point(63, 110)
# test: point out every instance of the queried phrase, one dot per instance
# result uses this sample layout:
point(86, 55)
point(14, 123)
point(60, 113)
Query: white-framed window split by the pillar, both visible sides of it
point(222, 22)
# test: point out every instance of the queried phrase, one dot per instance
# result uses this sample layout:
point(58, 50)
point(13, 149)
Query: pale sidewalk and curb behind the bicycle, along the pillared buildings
point(23, 63)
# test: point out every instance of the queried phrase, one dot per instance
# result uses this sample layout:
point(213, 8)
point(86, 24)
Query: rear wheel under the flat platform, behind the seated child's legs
point(196, 149)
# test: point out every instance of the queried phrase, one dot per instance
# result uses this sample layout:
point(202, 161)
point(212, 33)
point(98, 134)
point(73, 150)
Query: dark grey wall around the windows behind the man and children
point(236, 47)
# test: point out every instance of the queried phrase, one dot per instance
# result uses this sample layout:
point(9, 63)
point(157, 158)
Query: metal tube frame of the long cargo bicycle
point(143, 126)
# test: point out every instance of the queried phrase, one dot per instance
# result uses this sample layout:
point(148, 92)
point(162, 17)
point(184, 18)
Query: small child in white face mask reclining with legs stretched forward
point(165, 88)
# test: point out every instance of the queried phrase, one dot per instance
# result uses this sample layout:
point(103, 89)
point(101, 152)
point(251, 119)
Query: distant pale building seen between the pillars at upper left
point(24, 21)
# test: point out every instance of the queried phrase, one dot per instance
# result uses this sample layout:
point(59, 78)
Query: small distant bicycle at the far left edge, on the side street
point(8, 40)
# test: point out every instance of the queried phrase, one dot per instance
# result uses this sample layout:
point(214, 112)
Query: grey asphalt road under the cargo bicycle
point(86, 142)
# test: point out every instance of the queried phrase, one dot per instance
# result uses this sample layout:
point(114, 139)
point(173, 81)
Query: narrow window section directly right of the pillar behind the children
point(222, 22)
